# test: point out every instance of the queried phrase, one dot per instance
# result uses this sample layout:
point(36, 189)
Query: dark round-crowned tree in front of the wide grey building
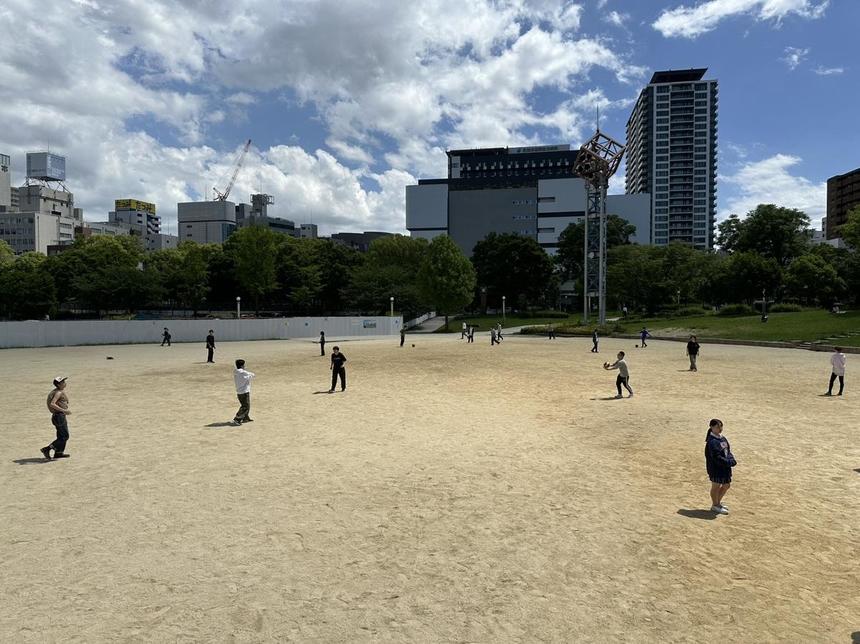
point(514, 266)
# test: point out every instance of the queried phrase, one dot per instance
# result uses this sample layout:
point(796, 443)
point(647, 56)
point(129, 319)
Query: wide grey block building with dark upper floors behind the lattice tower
point(539, 199)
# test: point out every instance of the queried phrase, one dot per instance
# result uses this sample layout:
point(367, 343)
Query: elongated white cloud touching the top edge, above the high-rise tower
point(690, 22)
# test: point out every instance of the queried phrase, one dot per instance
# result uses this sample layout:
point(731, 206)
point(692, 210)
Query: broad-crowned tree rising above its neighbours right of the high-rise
point(772, 231)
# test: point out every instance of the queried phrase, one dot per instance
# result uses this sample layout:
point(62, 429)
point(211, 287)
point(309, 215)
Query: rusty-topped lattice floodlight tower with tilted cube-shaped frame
point(597, 160)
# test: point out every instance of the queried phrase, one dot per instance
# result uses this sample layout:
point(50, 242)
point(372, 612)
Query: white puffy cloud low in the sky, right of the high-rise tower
point(771, 181)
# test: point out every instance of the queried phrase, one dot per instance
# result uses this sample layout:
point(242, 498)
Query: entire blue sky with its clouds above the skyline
point(348, 101)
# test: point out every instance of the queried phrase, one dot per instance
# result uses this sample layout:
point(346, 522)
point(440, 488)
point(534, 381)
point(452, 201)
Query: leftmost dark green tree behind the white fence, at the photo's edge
point(27, 289)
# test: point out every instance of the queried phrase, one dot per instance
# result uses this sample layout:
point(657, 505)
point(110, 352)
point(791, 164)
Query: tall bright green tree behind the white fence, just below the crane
point(254, 251)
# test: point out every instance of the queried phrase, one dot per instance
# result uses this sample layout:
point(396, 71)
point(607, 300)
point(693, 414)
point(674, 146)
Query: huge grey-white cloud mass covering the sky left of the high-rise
point(131, 92)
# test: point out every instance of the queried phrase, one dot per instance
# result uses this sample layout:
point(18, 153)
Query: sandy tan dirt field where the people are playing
point(454, 492)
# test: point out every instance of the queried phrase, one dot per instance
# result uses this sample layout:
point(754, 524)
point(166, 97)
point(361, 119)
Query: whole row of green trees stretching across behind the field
point(769, 250)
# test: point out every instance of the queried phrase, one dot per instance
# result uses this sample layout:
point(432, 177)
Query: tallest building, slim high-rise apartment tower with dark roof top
point(672, 154)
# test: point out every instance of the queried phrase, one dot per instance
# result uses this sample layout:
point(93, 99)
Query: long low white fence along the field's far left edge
point(73, 333)
